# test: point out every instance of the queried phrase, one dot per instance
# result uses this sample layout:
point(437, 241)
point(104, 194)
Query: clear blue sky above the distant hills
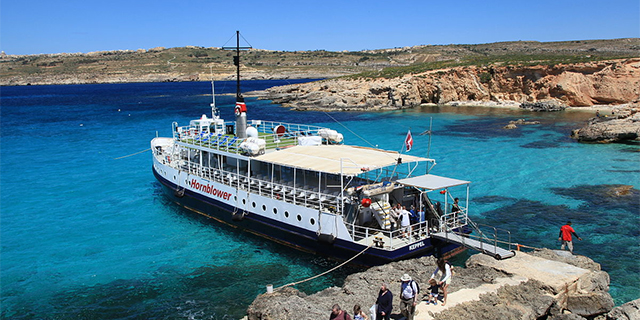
point(39, 26)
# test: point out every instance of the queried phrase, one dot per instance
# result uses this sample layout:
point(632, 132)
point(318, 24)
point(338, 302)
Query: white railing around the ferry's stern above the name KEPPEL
point(390, 239)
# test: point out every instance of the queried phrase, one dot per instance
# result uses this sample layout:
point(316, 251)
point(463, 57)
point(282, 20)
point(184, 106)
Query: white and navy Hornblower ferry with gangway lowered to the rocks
point(303, 186)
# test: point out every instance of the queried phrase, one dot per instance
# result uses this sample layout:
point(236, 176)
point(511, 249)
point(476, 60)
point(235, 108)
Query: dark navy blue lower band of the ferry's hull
point(295, 237)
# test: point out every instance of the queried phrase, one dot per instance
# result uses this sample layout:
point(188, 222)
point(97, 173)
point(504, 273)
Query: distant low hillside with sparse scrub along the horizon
point(389, 63)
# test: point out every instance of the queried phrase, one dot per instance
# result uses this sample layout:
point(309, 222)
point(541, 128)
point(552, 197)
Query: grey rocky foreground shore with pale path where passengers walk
point(545, 284)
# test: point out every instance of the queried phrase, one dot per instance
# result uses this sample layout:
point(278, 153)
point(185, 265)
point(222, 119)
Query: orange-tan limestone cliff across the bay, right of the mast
point(604, 82)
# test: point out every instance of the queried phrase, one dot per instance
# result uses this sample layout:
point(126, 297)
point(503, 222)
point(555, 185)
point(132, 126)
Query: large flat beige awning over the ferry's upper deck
point(326, 158)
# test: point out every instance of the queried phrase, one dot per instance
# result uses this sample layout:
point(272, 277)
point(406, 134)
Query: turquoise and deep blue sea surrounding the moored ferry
point(86, 233)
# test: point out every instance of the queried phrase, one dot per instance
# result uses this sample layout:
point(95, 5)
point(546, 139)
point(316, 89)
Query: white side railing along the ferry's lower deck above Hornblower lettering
point(307, 196)
